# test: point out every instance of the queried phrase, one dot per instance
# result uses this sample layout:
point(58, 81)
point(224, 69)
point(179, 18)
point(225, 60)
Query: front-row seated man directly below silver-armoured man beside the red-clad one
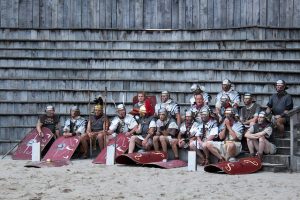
point(166, 133)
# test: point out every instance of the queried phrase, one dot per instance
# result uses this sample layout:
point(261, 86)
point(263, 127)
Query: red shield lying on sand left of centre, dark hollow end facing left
point(141, 158)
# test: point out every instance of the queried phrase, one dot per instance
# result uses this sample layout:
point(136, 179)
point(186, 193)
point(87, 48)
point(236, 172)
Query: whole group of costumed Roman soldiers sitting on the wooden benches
point(218, 131)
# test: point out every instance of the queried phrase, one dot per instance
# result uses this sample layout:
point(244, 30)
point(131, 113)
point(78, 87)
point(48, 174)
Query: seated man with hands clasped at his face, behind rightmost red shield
point(231, 134)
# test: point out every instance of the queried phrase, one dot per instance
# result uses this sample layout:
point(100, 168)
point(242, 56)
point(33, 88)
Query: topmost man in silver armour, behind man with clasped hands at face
point(233, 95)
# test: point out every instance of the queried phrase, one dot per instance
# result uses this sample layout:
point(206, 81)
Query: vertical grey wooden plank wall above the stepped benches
point(143, 14)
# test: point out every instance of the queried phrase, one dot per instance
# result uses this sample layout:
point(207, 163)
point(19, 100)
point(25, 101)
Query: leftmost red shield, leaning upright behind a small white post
point(24, 149)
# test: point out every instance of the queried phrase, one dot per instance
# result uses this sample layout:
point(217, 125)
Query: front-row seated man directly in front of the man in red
point(145, 131)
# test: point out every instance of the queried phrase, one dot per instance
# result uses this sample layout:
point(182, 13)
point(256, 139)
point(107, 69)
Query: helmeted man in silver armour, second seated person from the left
point(76, 125)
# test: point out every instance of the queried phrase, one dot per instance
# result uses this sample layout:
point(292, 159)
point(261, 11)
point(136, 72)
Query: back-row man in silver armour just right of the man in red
point(170, 105)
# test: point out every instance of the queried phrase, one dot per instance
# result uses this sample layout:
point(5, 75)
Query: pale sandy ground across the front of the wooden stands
point(84, 180)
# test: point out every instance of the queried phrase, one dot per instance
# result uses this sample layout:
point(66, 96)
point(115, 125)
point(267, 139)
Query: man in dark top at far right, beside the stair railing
point(279, 104)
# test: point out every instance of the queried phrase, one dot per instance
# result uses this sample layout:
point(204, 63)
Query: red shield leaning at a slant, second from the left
point(62, 149)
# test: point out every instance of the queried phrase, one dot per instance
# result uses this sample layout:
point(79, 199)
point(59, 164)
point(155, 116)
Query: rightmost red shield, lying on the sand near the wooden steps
point(242, 166)
